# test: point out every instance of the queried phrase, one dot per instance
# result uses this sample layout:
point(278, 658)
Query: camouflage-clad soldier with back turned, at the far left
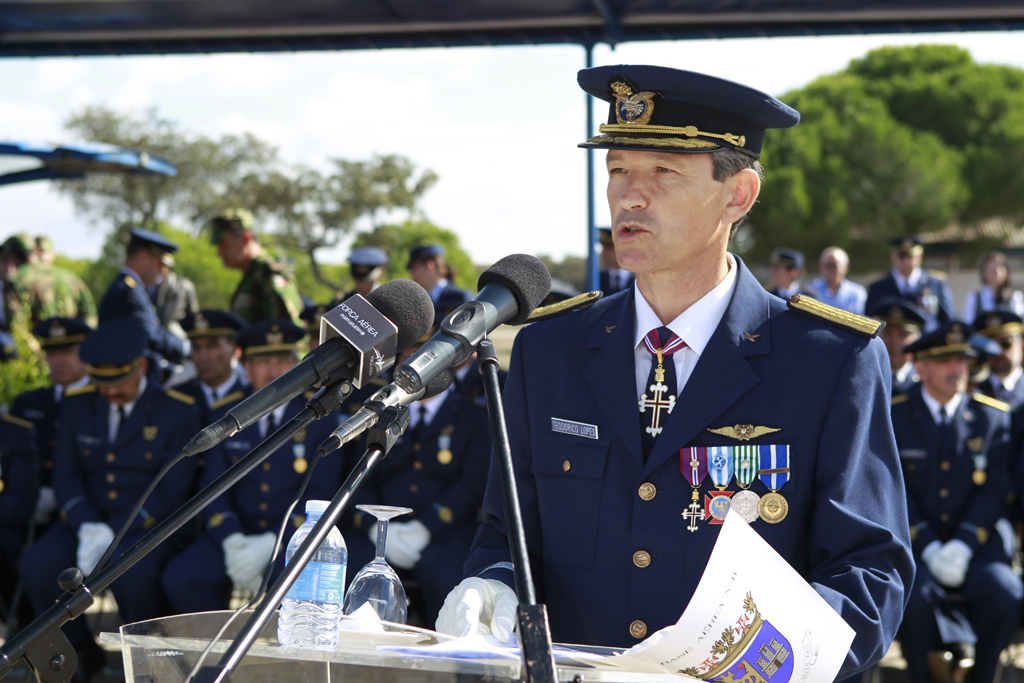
point(49, 291)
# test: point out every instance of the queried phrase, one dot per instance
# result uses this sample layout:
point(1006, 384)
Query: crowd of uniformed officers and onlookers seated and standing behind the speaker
point(134, 378)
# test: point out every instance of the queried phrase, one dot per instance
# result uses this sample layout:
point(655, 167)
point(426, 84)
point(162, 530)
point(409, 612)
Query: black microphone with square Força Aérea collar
point(398, 314)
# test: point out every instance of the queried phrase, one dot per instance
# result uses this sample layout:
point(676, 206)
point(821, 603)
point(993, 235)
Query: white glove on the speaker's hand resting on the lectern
point(478, 607)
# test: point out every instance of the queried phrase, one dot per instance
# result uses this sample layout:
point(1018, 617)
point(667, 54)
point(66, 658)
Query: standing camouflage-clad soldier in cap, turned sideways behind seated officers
point(266, 290)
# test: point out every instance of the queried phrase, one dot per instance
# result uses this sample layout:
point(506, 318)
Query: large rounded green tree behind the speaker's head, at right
point(907, 140)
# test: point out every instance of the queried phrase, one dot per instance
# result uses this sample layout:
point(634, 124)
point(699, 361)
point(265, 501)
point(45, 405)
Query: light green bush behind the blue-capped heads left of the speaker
point(397, 240)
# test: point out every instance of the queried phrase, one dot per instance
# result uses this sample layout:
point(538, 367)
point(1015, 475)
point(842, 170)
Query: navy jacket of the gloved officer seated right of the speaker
point(944, 498)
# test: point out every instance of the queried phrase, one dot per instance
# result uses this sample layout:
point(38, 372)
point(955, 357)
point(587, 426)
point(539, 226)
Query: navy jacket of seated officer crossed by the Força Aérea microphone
point(258, 503)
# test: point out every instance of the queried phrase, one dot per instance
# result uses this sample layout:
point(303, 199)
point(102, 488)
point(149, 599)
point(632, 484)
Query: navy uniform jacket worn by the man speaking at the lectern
point(824, 388)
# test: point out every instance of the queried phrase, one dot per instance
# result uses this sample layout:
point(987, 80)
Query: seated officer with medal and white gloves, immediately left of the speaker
point(439, 468)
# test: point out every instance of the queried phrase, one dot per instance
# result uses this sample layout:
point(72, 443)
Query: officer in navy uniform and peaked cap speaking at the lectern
point(603, 403)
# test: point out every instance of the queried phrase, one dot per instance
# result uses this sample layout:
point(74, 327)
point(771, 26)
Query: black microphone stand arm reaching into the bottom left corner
point(45, 646)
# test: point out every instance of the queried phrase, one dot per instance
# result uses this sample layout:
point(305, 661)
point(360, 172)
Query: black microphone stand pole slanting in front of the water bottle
point(380, 440)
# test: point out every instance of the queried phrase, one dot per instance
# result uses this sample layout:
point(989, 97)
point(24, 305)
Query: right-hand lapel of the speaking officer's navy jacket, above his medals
point(723, 374)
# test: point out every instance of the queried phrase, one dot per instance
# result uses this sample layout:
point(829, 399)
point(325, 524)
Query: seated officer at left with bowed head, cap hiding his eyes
point(115, 437)
